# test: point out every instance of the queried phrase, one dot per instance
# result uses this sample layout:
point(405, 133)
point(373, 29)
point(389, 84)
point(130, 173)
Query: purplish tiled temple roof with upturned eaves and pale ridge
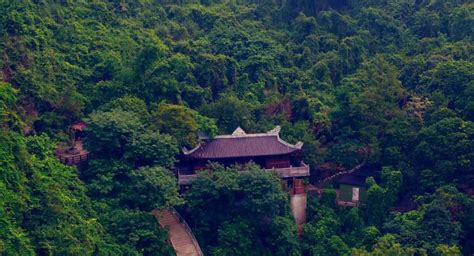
point(241, 144)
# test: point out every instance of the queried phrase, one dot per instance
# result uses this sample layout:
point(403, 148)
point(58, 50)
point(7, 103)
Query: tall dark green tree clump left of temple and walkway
point(128, 177)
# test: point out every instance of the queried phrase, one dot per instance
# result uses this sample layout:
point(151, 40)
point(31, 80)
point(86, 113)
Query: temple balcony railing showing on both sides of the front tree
point(288, 172)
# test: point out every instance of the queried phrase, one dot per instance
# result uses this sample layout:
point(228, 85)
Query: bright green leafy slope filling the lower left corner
point(50, 211)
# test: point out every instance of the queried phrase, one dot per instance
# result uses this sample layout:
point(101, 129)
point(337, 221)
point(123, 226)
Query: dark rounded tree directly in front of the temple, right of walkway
point(241, 213)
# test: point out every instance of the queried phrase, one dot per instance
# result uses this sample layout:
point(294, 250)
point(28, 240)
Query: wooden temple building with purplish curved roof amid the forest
point(267, 150)
